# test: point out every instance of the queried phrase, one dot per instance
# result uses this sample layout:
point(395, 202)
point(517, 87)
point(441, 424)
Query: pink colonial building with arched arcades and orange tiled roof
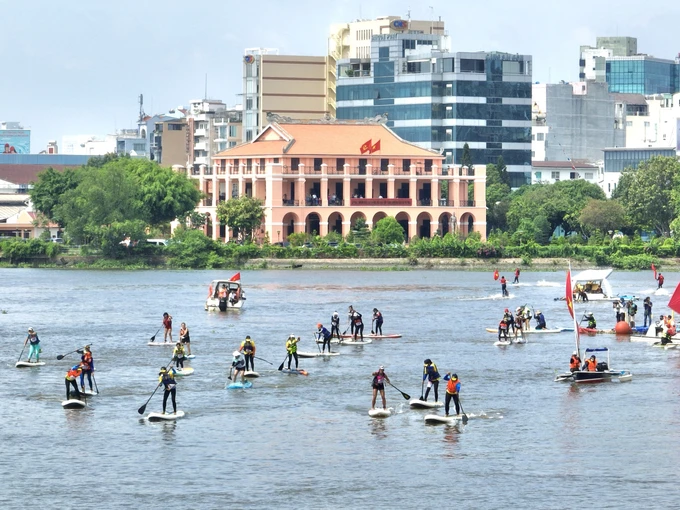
point(322, 176)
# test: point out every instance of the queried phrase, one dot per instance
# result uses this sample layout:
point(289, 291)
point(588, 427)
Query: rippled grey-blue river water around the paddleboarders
point(307, 442)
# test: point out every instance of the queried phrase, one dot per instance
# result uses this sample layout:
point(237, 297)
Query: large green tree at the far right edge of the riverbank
point(651, 194)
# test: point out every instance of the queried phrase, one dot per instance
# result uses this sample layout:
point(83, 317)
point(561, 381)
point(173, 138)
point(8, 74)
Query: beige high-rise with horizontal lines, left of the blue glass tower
point(293, 86)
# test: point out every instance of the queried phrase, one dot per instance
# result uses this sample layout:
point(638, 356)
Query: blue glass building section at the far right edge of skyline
point(642, 74)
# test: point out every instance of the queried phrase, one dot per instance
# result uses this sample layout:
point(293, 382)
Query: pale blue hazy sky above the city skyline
point(78, 66)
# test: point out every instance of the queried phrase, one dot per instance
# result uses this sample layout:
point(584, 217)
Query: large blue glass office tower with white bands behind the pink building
point(442, 100)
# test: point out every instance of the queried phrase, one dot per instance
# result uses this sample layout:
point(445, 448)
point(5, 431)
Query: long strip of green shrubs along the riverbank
point(191, 249)
